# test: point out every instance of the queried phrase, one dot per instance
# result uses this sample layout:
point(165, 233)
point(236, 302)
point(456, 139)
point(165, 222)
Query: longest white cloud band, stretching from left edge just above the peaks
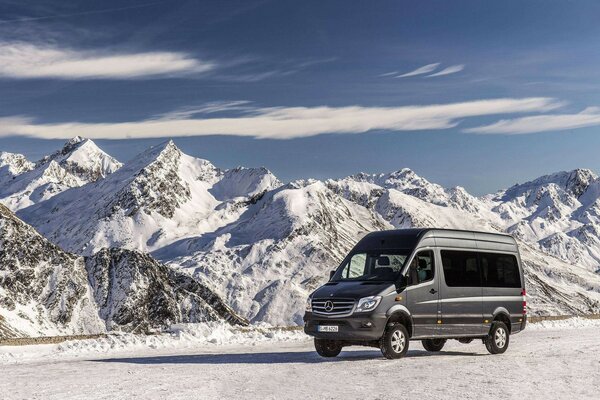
point(285, 122)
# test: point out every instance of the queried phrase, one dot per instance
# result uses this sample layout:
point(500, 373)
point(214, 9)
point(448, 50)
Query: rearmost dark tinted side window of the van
point(500, 270)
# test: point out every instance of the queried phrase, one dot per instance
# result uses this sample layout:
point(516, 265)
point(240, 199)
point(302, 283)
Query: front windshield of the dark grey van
point(382, 265)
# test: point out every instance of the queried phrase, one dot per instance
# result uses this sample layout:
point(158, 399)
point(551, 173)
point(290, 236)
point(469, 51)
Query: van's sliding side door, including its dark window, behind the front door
point(461, 294)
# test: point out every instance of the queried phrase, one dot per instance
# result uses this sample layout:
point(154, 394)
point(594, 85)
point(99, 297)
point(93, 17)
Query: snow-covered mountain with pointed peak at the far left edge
point(79, 162)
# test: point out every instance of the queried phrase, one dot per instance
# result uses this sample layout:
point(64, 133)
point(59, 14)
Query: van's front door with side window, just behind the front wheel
point(422, 293)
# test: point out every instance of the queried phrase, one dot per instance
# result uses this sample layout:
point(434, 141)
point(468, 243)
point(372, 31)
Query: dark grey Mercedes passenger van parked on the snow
point(421, 284)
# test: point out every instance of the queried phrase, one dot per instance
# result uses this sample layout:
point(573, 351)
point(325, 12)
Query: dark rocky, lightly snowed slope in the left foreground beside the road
point(47, 291)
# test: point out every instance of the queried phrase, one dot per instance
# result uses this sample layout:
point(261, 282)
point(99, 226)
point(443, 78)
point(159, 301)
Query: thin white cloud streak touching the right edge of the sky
point(541, 123)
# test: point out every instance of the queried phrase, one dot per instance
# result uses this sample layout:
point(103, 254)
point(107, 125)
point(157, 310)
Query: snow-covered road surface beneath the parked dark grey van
point(541, 363)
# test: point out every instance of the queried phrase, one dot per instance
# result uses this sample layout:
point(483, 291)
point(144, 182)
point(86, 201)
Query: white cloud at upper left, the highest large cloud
point(25, 60)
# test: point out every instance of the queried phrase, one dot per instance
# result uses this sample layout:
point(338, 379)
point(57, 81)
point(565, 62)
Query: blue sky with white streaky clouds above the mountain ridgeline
point(474, 93)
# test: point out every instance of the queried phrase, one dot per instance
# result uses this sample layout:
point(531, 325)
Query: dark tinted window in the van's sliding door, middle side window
point(461, 268)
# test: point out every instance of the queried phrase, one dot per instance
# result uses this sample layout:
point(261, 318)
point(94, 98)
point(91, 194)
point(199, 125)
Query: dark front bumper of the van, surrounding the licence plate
point(361, 327)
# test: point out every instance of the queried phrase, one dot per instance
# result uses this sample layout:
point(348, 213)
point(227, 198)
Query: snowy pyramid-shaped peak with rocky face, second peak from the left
point(159, 197)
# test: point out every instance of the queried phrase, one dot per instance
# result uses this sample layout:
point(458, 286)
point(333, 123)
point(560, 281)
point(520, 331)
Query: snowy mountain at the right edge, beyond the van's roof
point(558, 213)
